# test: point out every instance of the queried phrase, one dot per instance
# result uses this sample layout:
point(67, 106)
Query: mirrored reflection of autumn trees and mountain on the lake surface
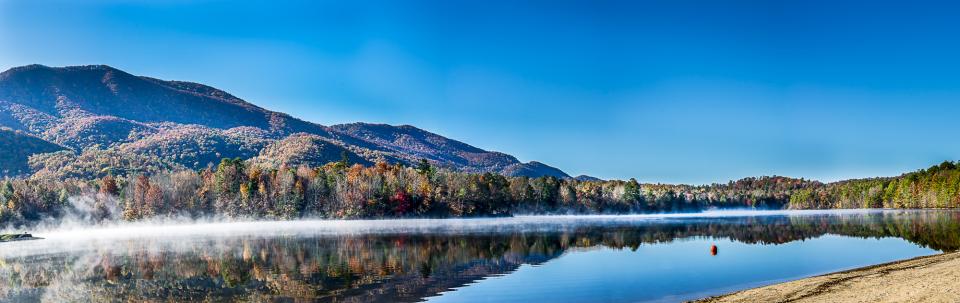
point(395, 267)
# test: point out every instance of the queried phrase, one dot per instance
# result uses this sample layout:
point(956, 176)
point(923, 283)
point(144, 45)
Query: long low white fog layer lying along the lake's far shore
point(173, 234)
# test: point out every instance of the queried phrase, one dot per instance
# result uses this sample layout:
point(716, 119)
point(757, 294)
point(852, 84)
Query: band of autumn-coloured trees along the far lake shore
point(341, 190)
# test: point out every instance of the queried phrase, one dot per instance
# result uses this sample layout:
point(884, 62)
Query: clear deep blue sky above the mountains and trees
point(664, 91)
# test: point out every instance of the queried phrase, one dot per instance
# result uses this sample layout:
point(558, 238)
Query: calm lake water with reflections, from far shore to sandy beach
point(523, 259)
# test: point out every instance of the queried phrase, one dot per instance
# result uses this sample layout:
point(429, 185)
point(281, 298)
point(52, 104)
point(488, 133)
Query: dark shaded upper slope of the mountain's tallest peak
point(106, 91)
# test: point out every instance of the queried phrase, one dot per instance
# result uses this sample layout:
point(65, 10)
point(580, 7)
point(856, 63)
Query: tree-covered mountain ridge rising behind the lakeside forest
point(192, 125)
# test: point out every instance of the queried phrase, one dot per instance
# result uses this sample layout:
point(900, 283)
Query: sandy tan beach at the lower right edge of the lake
point(921, 279)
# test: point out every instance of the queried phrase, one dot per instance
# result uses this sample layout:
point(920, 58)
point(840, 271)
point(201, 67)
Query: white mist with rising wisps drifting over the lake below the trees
point(78, 230)
